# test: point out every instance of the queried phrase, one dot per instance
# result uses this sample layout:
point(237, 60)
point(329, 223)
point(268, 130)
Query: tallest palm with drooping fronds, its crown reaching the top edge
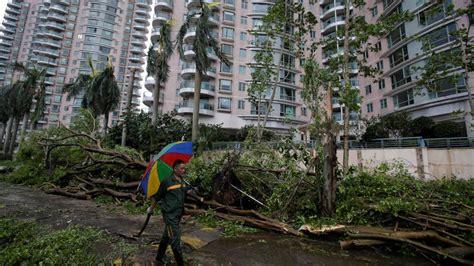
point(202, 41)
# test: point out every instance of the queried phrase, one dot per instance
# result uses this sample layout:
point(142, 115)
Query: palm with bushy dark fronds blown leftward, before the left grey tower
point(100, 92)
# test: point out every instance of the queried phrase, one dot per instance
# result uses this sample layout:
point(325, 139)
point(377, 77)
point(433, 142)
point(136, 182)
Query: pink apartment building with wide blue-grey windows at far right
point(401, 57)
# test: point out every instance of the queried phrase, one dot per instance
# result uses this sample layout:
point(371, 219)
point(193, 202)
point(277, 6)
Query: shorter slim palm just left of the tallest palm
point(157, 64)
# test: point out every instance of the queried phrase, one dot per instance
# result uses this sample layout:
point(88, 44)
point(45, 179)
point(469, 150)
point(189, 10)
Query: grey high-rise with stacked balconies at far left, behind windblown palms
point(61, 35)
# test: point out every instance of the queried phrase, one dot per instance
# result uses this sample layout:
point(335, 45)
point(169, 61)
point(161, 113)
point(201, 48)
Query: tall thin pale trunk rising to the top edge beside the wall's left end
point(347, 87)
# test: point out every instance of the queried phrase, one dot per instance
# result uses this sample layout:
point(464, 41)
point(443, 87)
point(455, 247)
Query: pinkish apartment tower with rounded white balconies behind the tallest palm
point(224, 98)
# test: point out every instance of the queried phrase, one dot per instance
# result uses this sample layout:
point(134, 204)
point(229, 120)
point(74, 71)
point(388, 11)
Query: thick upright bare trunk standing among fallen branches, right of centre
point(328, 193)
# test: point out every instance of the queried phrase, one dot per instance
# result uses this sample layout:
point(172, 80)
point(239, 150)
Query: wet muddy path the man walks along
point(203, 246)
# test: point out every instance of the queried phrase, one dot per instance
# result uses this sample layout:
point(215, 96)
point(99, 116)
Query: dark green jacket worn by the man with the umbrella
point(172, 194)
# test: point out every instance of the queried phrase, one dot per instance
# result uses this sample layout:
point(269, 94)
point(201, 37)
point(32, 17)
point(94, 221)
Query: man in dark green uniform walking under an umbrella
point(172, 193)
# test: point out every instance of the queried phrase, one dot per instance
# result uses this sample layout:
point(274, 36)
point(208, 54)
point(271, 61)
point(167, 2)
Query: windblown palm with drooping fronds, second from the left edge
point(35, 89)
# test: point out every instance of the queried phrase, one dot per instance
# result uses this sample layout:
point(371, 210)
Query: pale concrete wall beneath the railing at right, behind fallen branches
point(422, 162)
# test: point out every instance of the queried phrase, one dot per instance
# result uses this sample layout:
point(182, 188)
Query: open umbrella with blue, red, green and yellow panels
point(162, 165)
